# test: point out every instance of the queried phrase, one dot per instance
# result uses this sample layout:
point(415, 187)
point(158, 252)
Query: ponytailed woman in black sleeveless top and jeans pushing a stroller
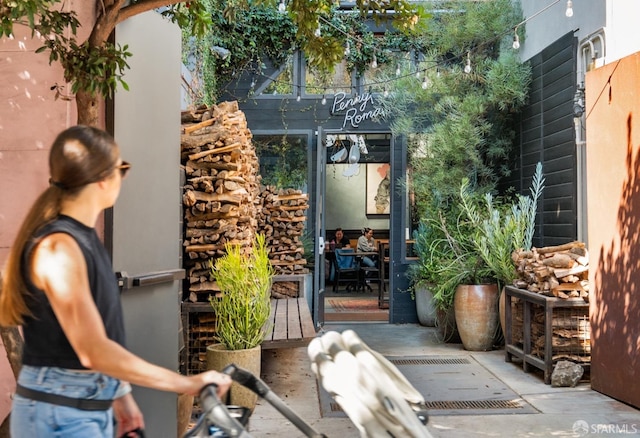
point(58, 284)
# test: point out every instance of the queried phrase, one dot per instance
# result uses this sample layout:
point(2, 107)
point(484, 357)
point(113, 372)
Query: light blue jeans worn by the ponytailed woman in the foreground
point(30, 418)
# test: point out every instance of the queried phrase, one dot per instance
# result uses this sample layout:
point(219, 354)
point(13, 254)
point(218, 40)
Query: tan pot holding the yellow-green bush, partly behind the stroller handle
point(219, 357)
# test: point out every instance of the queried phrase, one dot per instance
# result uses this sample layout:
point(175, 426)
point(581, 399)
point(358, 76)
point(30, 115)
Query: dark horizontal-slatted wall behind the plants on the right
point(546, 133)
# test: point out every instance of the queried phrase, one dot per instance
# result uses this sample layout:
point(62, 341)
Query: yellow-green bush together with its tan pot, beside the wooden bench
point(242, 310)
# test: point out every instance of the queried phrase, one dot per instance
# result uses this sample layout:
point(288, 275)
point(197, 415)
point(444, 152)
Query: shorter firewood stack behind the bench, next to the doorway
point(282, 220)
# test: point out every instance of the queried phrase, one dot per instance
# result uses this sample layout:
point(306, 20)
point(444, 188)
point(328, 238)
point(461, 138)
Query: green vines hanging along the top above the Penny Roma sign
point(259, 33)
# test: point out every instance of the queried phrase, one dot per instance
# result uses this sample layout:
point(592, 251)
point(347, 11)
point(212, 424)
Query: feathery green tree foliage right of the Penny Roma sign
point(460, 124)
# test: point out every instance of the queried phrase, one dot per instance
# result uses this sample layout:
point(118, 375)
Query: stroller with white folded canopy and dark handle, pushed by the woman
point(377, 398)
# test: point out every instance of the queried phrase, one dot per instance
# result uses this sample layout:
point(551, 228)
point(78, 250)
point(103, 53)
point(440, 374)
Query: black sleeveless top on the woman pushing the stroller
point(45, 344)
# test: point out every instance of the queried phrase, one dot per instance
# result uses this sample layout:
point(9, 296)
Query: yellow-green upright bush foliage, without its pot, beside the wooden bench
point(243, 307)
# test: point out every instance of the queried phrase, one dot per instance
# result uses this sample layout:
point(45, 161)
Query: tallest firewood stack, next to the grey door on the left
point(221, 196)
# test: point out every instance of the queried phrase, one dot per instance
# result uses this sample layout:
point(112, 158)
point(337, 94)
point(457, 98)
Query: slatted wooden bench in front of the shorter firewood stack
point(291, 323)
